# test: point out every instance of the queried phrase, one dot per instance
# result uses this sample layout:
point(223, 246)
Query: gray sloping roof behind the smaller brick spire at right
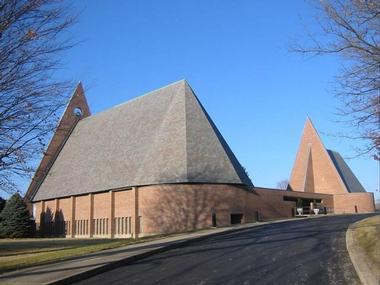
point(349, 179)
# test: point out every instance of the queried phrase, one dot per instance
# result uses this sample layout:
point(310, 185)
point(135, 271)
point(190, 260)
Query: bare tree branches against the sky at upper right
point(351, 28)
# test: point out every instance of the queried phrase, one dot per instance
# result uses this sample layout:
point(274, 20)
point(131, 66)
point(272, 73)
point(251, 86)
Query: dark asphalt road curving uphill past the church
point(311, 251)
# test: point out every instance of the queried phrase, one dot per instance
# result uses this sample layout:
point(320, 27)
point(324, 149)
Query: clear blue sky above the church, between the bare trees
point(235, 56)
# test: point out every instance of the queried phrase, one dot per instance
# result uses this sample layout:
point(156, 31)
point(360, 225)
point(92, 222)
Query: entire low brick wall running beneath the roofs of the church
point(148, 210)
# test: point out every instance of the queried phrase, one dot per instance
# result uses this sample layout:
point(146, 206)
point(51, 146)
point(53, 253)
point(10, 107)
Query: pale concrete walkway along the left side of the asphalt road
point(78, 268)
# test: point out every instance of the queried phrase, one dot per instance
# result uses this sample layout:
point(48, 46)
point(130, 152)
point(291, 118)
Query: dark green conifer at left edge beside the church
point(15, 218)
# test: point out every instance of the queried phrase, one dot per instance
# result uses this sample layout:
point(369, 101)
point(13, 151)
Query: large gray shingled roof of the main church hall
point(164, 136)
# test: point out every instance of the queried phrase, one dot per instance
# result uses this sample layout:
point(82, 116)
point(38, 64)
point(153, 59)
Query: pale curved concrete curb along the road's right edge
point(366, 276)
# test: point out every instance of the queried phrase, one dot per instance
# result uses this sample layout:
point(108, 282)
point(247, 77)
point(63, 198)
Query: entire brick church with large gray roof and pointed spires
point(158, 164)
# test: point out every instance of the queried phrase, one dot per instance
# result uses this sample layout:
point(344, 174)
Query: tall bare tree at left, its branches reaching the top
point(32, 35)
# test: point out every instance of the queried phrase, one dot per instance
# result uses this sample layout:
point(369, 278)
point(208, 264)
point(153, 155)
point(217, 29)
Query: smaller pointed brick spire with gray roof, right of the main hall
point(319, 170)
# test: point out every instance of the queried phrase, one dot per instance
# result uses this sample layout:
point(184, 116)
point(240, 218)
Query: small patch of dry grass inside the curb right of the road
point(367, 237)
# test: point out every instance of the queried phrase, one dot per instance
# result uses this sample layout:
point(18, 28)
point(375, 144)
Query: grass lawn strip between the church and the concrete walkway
point(21, 253)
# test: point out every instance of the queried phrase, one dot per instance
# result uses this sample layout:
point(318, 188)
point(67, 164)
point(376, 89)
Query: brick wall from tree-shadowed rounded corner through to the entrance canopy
point(173, 208)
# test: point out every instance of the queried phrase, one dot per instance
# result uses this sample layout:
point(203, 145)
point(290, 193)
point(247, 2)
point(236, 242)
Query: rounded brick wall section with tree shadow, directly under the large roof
point(177, 208)
